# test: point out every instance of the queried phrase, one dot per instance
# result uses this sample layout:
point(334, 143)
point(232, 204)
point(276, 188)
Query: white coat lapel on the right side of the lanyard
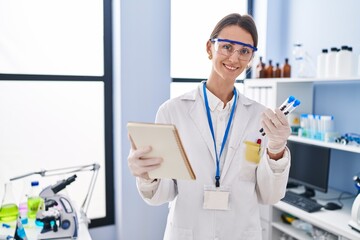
point(241, 120)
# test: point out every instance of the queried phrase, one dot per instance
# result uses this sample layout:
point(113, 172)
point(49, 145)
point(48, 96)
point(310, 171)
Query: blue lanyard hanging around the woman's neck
point(217, 176)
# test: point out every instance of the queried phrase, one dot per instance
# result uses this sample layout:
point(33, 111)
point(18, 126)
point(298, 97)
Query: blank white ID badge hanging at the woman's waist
point(216, 198)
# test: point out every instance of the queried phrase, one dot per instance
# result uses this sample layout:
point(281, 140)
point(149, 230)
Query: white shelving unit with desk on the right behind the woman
point(272, 92)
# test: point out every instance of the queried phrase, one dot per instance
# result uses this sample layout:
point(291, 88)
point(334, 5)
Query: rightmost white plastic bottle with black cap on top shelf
point(344, 62)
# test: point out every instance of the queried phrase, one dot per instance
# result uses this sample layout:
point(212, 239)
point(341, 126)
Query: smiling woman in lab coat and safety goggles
point(236, 167)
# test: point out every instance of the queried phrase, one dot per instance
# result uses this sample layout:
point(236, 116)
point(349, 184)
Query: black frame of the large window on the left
point(107, 78)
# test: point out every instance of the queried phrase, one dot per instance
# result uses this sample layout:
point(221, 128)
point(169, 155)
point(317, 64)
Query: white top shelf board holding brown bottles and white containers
point(294, 80)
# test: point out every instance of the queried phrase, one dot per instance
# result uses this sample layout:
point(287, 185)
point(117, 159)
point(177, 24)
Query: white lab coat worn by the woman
point(249, 183)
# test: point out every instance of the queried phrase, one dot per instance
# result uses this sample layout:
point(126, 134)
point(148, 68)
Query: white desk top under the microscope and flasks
point(32, 232)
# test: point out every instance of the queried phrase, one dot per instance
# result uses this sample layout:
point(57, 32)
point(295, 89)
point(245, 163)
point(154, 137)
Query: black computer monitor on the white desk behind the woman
point(309, 167)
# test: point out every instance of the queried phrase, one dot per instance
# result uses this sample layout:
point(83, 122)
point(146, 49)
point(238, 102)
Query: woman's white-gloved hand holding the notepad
point(140, 165)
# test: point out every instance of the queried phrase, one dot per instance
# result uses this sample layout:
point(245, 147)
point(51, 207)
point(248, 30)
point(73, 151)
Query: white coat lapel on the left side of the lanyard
point(199, 117)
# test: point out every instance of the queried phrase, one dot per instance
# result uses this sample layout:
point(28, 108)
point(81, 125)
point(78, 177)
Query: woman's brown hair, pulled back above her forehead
point(246, 22)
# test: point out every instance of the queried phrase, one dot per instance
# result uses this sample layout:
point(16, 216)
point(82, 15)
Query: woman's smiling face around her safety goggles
point(228, 68)
